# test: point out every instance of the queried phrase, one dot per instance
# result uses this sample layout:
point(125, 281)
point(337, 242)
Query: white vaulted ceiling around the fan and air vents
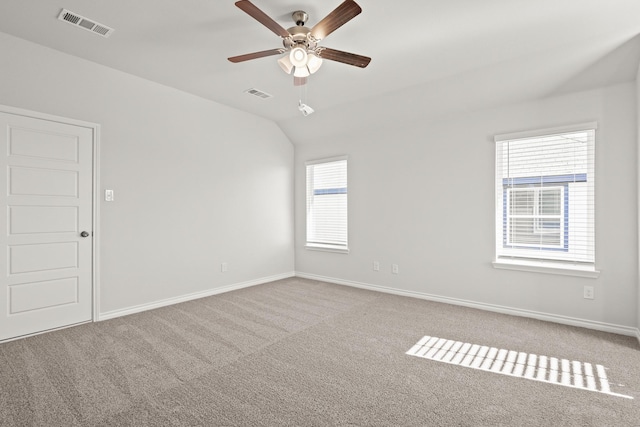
point(429, 58)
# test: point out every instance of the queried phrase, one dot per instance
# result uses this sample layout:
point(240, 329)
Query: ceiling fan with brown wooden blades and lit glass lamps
point(304, 55)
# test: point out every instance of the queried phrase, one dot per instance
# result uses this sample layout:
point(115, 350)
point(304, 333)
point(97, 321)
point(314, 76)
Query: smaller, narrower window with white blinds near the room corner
point(327, 204)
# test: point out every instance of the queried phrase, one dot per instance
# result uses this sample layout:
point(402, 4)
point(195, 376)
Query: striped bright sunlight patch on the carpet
point(568, 373)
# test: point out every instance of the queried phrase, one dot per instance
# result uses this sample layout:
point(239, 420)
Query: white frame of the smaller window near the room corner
point(316, 244)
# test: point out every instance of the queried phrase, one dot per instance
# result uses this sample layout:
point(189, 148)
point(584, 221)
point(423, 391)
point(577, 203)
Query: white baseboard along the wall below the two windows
point(565, 320)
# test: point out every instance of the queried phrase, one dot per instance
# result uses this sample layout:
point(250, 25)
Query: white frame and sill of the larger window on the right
point(530, 260)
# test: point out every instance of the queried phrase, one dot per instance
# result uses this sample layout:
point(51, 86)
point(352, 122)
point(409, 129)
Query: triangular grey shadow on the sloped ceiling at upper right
point(618, 66)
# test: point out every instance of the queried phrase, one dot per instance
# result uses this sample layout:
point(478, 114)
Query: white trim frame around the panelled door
point(95, 246)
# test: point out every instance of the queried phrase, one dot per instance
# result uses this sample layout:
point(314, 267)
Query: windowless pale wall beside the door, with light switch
point(196, 183)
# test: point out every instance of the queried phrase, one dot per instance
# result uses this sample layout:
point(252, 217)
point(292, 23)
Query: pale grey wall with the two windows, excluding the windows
point(421, 195)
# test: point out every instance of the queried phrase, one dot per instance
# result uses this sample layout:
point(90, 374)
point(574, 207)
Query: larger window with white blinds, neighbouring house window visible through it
point(545, 196)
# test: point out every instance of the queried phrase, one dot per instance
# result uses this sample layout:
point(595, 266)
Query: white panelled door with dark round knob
point(46, 190)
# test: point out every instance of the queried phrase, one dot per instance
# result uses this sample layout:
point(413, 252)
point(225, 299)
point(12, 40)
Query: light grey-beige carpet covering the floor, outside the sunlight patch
point(304, 353)
